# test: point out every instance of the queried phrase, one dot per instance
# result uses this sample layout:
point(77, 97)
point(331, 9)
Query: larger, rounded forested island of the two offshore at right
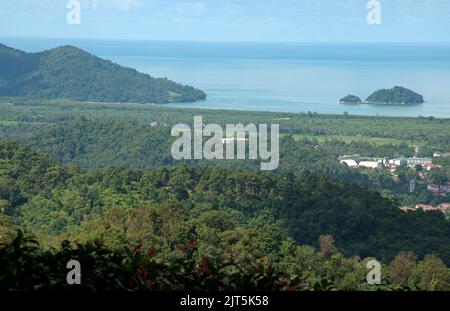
point(397, 95)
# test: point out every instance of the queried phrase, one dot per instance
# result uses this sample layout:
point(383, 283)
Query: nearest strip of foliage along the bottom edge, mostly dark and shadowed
point(300, 268)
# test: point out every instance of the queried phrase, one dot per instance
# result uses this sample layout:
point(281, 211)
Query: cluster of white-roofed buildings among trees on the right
point(355, 161)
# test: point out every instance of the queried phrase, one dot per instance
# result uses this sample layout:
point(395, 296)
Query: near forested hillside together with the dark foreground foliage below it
point(187, 216)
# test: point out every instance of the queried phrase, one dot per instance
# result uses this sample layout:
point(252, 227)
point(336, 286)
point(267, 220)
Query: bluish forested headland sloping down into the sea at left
point(71, 73)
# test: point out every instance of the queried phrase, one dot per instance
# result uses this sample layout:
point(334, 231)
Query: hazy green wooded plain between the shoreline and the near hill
point(94, 136)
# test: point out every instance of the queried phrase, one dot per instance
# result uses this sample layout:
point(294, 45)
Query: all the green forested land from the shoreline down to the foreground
point(101, 176)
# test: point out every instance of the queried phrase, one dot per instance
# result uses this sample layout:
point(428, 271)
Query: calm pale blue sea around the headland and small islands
point(286, 77)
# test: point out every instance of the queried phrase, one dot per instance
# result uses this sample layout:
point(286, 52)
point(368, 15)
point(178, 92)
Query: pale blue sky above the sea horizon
point(231, 20)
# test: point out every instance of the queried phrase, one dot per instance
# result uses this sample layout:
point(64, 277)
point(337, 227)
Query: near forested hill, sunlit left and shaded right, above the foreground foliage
point(248, 213)
